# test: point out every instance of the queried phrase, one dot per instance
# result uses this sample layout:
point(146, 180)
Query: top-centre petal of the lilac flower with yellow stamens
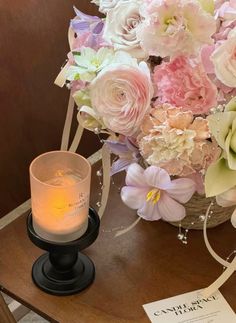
point(157, 177)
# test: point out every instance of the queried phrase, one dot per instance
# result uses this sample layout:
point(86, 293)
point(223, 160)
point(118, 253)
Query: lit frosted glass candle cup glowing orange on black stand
point(60, 189)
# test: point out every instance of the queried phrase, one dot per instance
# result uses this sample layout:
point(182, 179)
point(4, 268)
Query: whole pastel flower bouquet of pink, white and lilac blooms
point(159, 77)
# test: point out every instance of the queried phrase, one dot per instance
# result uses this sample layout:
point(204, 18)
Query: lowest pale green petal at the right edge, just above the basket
point(219, 178)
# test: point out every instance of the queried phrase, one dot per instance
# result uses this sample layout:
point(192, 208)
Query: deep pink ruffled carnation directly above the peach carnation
point(184, 83)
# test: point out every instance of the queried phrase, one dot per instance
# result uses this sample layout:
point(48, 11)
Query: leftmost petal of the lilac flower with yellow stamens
point(134, 197)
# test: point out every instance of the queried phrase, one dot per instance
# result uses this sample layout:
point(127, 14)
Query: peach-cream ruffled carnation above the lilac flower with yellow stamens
point(174, 140)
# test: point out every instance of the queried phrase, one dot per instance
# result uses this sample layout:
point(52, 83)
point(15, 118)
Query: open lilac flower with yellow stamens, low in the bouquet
point(155, 195)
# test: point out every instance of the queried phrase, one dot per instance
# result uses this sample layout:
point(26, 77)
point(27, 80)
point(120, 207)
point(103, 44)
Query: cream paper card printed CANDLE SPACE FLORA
point(191, 308)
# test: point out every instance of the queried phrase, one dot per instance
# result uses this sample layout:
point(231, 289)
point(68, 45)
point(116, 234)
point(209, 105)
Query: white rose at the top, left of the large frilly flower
point(121, 26)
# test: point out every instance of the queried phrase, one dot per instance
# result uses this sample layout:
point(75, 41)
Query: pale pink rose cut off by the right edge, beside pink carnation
point(224, 60)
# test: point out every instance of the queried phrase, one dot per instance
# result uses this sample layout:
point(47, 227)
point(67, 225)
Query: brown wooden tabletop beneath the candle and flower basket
point(142, 266)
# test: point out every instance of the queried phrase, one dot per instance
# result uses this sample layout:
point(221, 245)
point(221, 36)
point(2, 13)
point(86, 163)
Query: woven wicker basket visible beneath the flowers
point(196, 207)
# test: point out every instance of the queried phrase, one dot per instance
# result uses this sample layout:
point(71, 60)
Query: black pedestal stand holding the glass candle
point(64, 270)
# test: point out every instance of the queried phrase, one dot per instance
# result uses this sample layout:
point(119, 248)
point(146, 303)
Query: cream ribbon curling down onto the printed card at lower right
point(231, 267)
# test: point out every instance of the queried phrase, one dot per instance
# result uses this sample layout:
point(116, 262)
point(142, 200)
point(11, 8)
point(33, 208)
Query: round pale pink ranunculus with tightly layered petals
point(121, 95)
